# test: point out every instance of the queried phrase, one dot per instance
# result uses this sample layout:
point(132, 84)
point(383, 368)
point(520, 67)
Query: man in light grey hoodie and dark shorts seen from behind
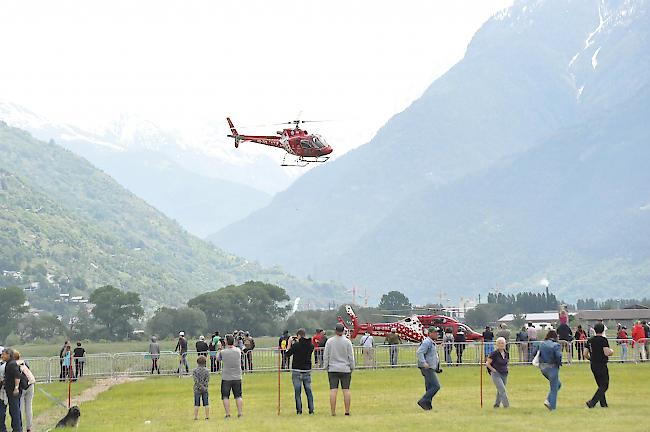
point(338, 361)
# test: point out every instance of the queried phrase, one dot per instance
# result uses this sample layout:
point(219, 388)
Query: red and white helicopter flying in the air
point(308, 148)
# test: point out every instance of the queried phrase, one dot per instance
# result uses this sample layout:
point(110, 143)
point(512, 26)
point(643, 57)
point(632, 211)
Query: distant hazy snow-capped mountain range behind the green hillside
point(164, 171)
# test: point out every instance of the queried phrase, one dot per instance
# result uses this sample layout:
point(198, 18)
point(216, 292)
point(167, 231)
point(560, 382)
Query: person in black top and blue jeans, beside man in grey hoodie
point(301, 350)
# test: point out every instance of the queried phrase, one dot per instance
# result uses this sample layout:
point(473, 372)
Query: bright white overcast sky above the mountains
point(183, 64)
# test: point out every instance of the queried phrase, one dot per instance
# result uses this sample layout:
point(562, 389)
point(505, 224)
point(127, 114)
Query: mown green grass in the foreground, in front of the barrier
point(382, 400)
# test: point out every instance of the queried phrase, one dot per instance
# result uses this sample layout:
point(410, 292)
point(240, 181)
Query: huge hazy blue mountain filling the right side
point(387, 215)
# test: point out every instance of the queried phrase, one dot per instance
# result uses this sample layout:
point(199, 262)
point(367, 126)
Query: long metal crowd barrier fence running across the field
point(138, 364)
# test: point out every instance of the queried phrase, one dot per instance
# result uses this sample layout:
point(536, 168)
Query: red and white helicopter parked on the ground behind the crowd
point(410, 328)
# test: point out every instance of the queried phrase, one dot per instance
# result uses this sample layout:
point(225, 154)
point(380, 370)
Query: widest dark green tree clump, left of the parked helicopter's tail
point(253, 306)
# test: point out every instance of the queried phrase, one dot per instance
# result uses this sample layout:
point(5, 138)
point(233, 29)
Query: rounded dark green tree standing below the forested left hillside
point(114, 308)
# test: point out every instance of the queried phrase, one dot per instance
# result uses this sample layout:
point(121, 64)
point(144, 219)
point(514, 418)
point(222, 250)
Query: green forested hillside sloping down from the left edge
point(62, 218)
